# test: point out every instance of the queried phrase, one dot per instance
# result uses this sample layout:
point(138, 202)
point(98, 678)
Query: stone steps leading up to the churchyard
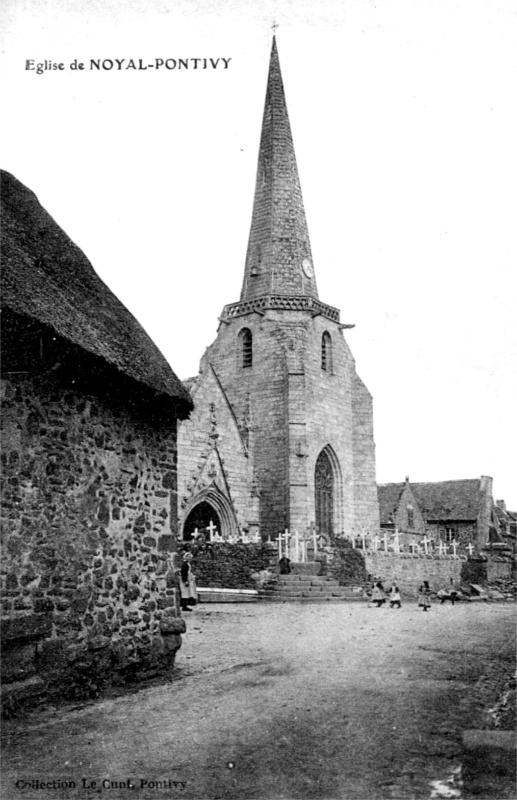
point(297, 588)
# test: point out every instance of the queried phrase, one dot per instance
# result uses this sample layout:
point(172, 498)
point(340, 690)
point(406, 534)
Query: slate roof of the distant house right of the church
point(444, 500)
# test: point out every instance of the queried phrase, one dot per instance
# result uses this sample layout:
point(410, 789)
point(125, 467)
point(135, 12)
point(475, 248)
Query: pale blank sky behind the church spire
point(404, 122)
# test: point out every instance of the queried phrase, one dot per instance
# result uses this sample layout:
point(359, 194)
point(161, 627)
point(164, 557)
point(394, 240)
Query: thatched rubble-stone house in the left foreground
point(89, 472)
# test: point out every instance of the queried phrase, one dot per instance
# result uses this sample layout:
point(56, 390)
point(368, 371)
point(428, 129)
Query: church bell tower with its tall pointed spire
point(281, 352)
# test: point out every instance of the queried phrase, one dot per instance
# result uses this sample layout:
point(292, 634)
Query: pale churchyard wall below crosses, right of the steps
point(408, 571)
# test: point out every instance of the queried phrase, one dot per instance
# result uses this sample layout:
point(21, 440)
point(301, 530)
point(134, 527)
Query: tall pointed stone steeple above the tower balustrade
point(279, 258)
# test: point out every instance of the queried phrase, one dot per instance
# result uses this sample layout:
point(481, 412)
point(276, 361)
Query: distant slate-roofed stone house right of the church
point(460, 512)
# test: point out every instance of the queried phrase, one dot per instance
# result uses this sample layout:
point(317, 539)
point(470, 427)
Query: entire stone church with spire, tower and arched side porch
point(281, 436)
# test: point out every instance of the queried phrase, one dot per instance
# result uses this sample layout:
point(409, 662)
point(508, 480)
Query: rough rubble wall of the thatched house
point(89, 524)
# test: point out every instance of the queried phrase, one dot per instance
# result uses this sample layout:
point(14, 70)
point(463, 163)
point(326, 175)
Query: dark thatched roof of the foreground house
point(47, 278)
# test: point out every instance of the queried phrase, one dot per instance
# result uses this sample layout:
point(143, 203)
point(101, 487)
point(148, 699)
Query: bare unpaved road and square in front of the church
point(279, 702)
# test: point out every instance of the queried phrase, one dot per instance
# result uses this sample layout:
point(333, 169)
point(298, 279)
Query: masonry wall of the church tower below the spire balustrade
point(297, 409)
